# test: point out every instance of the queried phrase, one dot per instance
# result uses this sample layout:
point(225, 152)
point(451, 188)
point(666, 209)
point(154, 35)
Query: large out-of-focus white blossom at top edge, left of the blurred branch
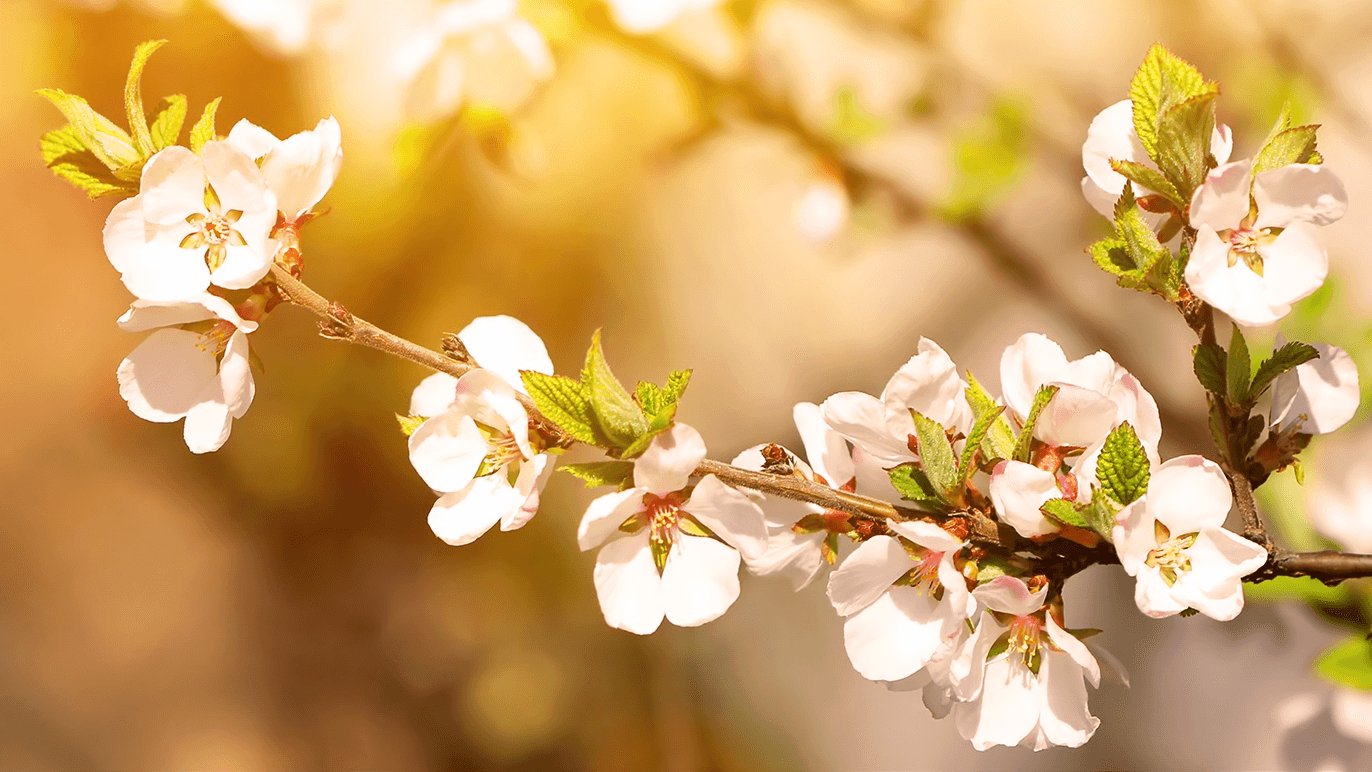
point(471, 53)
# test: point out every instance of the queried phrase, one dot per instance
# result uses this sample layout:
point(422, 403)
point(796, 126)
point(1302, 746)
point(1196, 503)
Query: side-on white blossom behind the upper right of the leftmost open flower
point(301, 169)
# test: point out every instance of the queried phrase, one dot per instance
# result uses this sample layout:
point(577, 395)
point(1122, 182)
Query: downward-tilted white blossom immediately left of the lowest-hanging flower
point(903, 597)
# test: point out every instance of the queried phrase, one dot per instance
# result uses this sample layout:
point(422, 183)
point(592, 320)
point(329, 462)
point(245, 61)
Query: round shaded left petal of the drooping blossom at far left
point(163, 379)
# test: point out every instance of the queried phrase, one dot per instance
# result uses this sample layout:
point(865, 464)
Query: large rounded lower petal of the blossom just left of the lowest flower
point(895, 636)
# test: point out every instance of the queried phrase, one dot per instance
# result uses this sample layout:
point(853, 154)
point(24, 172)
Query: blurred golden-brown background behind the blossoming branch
point(784, 195)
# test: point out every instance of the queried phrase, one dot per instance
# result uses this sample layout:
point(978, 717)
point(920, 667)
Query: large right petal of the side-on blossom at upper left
point(303, 168)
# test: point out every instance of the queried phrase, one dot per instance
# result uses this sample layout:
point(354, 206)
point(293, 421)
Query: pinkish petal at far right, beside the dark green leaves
point(1318, 397)
